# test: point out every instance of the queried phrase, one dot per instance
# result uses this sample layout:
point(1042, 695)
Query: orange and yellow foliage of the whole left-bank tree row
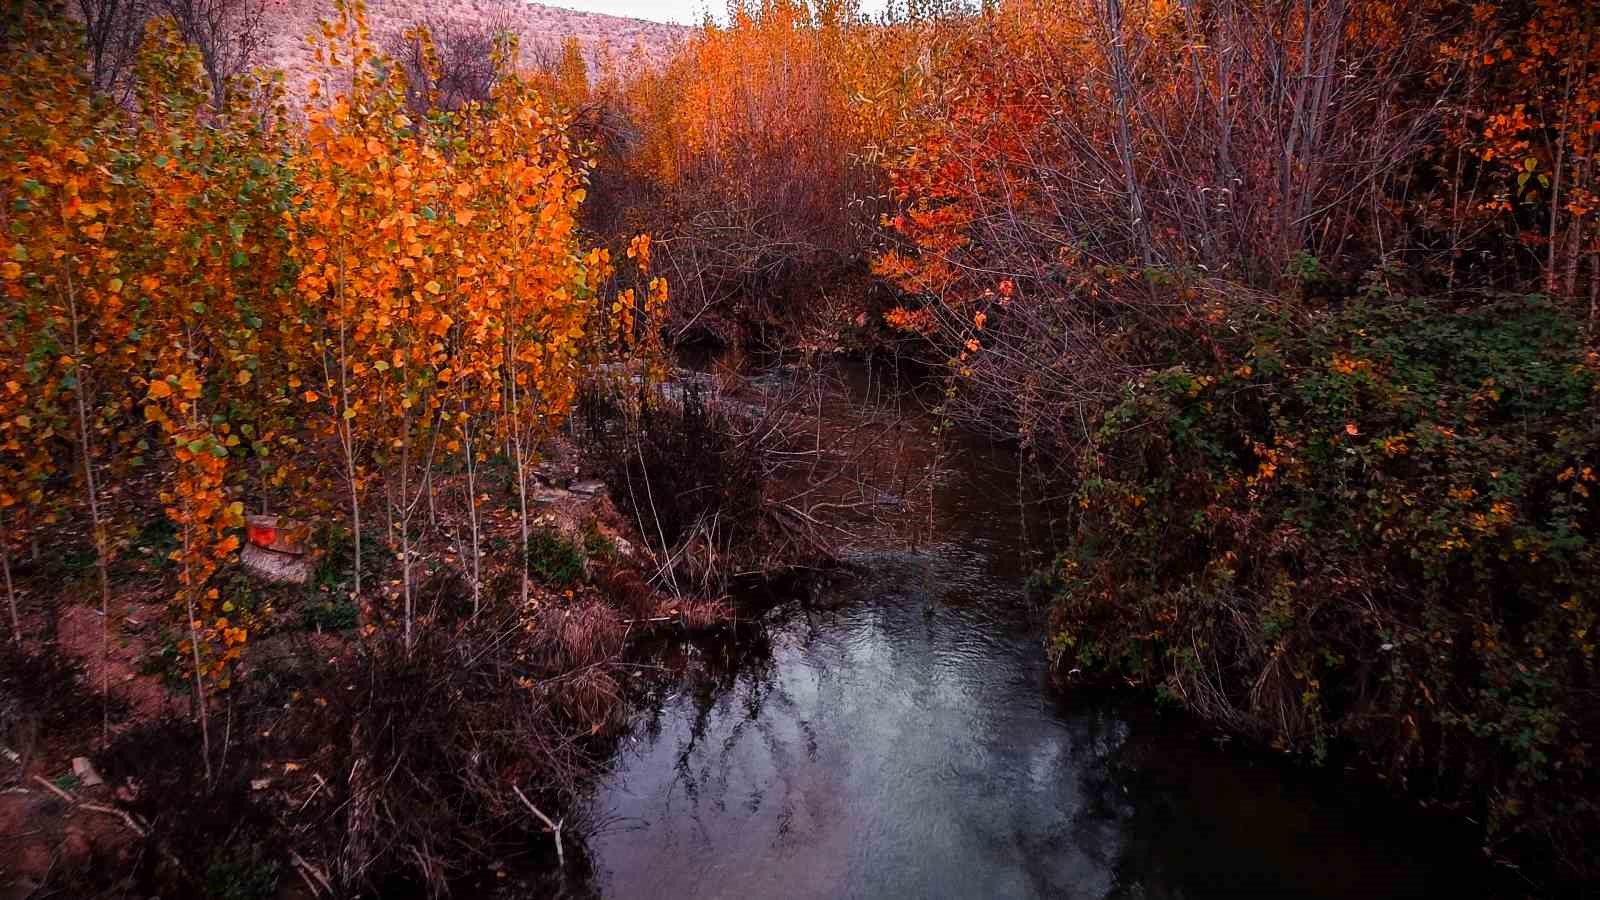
point(362, 295)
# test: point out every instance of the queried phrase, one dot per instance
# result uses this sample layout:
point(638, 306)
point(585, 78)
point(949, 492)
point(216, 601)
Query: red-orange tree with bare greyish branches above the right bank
point(1058, 150)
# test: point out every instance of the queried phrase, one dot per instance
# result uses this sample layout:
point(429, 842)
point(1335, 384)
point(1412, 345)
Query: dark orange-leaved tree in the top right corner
point(1518, 148)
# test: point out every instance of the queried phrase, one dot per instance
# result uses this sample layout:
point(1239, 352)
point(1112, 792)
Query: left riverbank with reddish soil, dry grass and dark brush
point(313, 771)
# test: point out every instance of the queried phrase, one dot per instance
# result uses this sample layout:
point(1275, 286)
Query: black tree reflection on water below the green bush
point(1174, 816)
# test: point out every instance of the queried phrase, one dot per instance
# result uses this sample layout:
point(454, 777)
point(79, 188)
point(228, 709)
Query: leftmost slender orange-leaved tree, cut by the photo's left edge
point(66, 271)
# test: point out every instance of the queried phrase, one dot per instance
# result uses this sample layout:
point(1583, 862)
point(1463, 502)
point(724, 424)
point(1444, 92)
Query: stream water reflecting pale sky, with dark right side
point(898, 736)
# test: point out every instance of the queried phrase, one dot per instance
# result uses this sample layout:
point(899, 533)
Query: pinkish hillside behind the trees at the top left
point(542, 28)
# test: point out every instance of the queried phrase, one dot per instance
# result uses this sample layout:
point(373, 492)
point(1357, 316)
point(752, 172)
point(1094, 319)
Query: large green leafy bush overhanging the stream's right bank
point(1377, 526)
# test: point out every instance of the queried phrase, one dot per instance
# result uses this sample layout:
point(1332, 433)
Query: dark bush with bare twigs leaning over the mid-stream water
point(738, 476)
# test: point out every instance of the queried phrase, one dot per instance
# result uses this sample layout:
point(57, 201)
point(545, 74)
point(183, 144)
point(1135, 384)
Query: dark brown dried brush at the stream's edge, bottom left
point(329, 761)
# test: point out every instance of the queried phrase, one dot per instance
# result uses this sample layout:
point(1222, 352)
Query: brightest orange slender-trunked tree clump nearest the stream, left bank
point(444, 279)
